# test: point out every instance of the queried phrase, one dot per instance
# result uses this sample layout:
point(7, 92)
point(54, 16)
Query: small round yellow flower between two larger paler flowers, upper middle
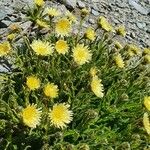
point(61, 47)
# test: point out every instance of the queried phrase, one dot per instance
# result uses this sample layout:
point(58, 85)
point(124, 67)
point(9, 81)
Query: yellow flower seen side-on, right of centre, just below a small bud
point(97, 86)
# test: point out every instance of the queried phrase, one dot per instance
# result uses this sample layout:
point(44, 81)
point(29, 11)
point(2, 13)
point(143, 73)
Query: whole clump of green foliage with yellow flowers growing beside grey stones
point(73, 91)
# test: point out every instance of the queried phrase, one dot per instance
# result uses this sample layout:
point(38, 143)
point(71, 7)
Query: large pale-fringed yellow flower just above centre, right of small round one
point(81, 54)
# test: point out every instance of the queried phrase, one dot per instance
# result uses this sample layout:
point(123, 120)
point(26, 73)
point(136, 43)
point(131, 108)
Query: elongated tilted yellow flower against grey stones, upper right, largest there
point(103, 23)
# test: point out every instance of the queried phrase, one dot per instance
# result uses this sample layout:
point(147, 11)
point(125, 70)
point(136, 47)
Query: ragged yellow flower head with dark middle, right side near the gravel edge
point(133, 50)
